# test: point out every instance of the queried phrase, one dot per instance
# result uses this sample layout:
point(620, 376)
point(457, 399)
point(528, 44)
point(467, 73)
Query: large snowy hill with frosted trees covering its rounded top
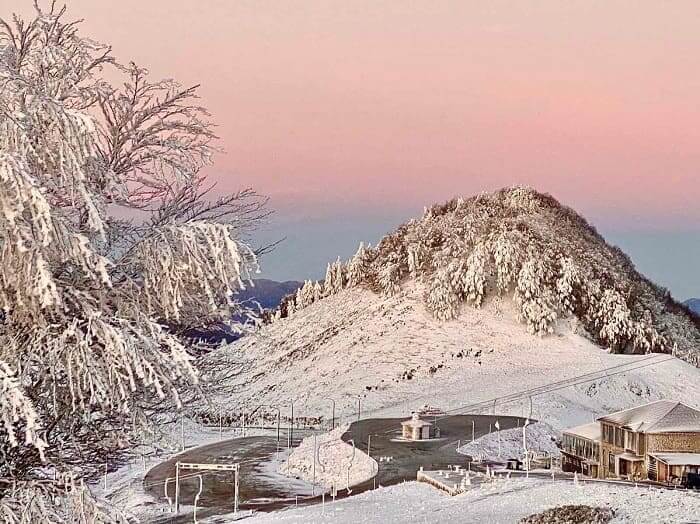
point(378, 330)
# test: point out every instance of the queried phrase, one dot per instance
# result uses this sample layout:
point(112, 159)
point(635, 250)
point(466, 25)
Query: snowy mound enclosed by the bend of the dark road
point(337, 463)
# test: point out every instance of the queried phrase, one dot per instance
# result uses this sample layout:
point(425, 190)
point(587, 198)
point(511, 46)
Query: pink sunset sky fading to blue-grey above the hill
point(353, 115)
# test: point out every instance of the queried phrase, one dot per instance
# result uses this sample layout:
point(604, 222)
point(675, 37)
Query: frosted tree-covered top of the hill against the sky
point(524, 245)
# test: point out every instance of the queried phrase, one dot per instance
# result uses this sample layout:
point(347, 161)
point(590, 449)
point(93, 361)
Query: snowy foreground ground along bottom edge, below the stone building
point(503, 501)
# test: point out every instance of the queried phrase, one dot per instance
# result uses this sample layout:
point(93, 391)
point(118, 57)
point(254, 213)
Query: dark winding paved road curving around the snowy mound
point(263, 489)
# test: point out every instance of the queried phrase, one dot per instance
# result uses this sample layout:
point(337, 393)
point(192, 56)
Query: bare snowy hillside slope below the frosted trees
point(395, 356)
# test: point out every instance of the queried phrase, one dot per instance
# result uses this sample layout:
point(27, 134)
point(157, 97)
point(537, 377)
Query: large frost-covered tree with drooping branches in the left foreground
point(92, 302)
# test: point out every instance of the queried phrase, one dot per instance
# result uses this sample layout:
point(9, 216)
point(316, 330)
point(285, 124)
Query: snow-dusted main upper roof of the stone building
point(663, 416)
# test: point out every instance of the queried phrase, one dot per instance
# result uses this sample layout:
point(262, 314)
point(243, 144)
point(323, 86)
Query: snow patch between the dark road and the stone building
point(539, 437)
